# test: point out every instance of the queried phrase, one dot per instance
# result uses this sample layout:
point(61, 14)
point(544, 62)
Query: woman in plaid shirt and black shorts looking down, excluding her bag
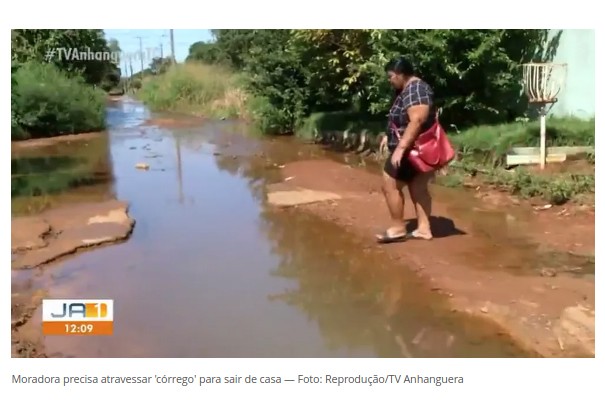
point(411, 114)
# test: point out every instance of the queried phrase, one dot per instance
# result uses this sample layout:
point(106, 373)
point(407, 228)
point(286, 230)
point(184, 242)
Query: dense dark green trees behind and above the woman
point(475, 73)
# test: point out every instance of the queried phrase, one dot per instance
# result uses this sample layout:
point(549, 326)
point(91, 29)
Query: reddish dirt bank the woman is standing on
point(548, 308)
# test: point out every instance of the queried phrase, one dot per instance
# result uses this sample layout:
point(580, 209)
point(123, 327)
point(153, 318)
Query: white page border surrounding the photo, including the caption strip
point(529, 380)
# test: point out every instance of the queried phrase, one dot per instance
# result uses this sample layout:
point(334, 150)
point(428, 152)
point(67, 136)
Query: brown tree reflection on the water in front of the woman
point(359, 299)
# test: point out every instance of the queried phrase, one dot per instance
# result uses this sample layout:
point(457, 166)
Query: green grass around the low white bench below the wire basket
point(482, 152)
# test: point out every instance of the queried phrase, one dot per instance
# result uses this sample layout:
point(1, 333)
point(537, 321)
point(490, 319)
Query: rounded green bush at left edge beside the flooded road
point(47, 102)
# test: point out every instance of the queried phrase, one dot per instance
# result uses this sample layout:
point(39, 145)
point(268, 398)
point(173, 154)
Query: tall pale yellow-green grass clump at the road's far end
point(196, 88)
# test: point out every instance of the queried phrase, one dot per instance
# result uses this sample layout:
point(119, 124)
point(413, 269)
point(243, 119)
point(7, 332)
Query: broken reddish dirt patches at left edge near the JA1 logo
point(38, 240)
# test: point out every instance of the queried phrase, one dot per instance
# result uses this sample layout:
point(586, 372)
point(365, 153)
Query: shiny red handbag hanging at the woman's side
point(432, 149)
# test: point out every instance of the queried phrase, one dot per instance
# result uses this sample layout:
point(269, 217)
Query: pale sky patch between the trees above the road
point(153, 42)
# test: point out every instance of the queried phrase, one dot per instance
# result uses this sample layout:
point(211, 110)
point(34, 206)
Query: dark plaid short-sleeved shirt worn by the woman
point(417, 92)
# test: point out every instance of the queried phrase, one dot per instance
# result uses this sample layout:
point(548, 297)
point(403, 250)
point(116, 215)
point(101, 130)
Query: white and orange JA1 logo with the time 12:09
point(77, 316)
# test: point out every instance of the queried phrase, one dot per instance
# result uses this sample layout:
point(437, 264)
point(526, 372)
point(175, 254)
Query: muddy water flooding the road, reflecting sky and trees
point(210, 271)
